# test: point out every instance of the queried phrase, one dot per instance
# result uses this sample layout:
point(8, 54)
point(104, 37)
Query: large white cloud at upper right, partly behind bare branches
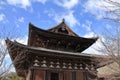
point(98, 8)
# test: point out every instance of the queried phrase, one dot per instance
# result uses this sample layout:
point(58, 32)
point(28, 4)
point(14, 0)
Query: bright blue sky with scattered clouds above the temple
point(84, 17)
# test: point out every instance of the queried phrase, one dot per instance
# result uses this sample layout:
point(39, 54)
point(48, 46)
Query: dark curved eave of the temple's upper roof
point(34, 30)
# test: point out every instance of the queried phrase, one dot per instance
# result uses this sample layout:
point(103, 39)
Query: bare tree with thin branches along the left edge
point(3, 53)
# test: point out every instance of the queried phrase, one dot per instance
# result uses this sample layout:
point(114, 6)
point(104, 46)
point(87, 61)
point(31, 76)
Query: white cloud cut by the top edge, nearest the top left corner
point(20, 3)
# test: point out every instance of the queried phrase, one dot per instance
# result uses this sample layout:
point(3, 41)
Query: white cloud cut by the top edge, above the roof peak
point(67, 3)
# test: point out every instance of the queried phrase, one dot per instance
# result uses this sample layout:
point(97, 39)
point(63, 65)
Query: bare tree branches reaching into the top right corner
point(112, 9)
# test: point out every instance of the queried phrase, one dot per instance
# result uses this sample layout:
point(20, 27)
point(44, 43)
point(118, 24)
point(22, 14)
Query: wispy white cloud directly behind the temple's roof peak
point(68, 16)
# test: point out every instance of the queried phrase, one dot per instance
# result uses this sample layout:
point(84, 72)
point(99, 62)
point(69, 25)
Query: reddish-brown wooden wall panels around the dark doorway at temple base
point(63, 75)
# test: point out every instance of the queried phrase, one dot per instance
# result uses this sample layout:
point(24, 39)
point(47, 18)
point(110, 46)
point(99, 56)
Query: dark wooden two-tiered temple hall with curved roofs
point(54, 54)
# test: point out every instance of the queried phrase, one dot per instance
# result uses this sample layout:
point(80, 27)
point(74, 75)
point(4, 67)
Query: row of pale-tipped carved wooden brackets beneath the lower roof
point(66, 64)
